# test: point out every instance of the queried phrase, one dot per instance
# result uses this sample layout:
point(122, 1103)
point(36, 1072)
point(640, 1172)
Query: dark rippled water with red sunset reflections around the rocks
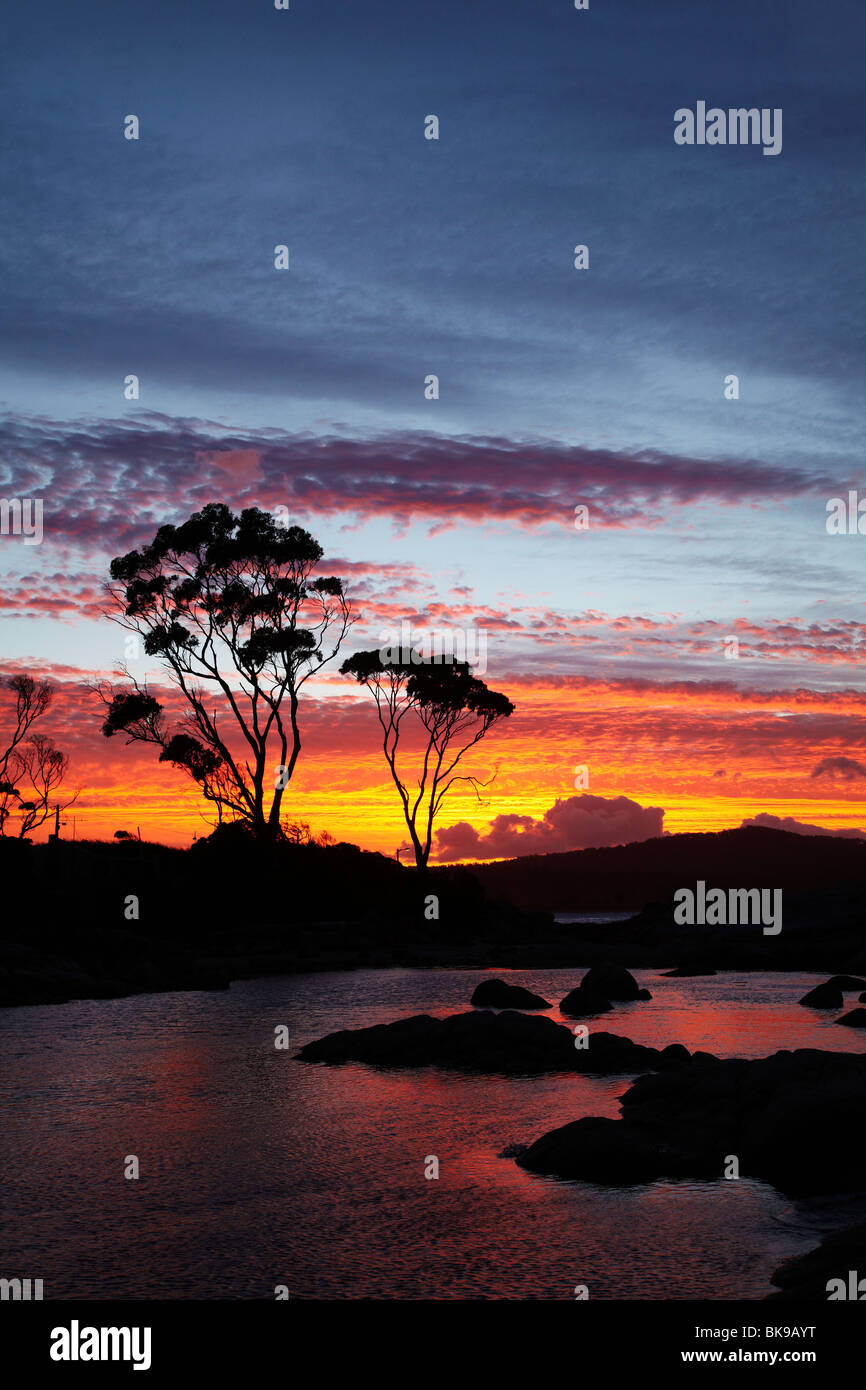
point(259, 1171)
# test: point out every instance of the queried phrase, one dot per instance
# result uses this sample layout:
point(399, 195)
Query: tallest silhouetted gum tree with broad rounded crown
point(231, 607)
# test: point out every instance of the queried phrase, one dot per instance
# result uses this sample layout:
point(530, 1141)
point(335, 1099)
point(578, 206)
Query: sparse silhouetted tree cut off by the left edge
point(31, 769)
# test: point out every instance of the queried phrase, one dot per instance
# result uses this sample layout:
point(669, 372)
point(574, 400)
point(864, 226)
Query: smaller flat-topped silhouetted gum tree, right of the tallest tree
point(455, 711)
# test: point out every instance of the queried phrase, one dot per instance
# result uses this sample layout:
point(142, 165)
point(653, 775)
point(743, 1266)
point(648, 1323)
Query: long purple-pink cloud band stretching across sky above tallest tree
point(116, 479)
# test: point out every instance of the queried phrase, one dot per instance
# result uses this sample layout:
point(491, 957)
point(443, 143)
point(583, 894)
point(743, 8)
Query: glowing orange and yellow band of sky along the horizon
point(697, 751)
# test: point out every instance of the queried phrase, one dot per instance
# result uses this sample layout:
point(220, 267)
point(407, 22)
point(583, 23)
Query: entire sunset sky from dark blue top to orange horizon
point(698, 647)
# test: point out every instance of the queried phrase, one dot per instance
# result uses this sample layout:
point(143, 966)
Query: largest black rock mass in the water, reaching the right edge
point(787, 1118)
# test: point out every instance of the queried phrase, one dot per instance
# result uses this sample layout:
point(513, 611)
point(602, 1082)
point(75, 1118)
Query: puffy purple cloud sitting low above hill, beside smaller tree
point(575, 824)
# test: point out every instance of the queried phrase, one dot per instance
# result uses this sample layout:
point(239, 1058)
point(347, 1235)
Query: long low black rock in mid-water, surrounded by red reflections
point(482, 1042)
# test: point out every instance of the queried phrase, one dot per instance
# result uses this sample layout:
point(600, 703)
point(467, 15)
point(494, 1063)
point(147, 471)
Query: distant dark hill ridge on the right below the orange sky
point(626, 878)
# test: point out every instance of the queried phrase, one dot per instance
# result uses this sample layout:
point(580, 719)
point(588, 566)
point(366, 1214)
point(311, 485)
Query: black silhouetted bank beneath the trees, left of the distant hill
point(227, 910)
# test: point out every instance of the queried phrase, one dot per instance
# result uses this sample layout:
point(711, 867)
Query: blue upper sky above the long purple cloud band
point(454, 256)
